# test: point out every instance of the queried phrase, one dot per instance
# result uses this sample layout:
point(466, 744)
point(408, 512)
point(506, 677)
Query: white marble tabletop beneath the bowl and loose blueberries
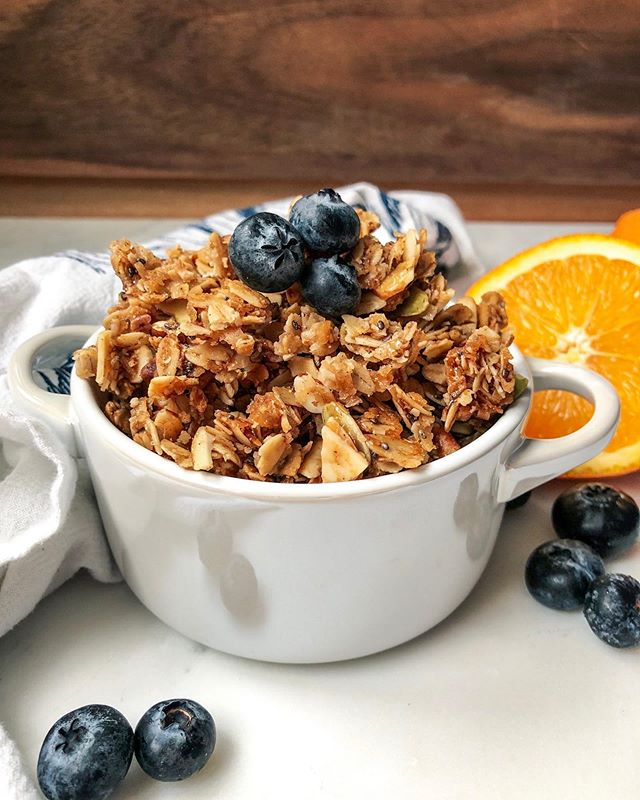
point(505, 699)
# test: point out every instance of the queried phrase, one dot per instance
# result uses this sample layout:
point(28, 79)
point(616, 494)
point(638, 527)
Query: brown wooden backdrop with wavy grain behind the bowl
point(519, 108)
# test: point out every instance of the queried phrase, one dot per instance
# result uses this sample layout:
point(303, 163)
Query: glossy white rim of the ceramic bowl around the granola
point(86, 411)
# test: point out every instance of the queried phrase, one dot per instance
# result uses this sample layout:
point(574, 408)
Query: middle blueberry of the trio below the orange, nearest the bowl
point(559, 573)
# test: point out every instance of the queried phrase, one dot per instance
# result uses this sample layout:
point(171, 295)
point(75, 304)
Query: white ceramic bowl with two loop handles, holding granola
point(308, 573)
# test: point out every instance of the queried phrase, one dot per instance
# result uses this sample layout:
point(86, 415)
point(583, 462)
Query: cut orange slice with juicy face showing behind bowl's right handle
point(577, 299)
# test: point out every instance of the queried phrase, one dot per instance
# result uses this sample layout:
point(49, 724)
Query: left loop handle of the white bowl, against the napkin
point(30, 398)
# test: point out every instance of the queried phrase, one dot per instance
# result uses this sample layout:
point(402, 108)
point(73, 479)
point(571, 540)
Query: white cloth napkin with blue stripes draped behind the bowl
point(50, 526)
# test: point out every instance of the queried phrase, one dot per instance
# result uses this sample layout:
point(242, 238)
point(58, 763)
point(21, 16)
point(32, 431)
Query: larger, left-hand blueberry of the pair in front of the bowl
point(86, 754)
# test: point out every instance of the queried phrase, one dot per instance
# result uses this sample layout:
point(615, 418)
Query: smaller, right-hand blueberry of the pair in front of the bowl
point(174, 739)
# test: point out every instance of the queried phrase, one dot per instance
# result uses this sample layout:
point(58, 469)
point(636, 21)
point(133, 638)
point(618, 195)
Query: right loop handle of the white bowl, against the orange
point(538, 460)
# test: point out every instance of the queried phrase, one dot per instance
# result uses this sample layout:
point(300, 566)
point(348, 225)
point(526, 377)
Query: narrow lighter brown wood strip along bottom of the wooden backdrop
point(117, 197)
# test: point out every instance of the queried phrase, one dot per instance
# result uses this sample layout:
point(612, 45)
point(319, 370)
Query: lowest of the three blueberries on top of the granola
point(331, 286)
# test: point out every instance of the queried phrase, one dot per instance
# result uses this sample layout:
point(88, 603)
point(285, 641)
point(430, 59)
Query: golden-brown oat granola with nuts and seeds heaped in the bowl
point(198, 367)
